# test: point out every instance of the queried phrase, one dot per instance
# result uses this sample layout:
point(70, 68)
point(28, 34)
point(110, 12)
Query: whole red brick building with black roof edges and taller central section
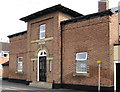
point(62, 47)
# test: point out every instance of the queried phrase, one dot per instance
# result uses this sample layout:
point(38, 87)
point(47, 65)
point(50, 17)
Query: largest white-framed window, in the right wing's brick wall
point(81, 62)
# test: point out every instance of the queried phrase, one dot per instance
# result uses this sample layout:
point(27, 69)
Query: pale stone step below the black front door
point(41, 85)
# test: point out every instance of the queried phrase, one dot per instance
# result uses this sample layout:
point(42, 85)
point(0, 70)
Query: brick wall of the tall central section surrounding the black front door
point(52, 22)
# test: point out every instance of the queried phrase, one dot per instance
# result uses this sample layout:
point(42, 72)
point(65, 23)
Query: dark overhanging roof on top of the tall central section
point(58, 7)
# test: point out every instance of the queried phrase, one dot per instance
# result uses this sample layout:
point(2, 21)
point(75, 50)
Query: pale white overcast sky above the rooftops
point(12, 10)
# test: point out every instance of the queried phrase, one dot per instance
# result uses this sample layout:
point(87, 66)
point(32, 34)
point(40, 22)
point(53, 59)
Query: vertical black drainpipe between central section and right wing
point(61, 24)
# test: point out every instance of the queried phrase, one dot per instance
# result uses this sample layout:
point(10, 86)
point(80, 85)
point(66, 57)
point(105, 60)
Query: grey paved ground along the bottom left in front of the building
point(6, 86)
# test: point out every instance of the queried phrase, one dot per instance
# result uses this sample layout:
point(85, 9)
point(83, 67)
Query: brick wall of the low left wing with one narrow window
point(18, 48)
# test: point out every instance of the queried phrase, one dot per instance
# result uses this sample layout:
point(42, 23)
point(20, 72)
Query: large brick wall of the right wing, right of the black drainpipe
point(96, 37)
